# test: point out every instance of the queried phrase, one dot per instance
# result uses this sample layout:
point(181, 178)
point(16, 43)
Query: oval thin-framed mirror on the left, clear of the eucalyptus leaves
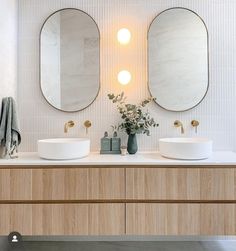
point(69, 60)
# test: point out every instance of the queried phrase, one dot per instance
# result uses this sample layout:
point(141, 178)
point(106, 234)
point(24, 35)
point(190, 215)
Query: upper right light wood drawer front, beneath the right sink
point(180, 183)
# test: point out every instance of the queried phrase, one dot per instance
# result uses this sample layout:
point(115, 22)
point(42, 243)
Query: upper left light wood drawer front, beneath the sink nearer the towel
point(62, 184)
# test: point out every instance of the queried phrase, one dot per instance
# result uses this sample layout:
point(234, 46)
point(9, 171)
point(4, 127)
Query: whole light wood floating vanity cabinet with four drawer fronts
point(116, 200)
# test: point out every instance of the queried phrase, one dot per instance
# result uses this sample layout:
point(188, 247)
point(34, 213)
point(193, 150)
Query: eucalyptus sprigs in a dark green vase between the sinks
point(135, 120)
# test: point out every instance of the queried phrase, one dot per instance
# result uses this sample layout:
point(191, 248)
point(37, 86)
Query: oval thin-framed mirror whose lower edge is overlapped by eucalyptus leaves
point(178, 68)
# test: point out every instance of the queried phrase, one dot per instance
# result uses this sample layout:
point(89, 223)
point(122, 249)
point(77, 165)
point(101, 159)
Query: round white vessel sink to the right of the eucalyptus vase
point(185, 148)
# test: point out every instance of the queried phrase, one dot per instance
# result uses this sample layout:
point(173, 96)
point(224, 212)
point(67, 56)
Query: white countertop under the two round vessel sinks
point(152, 158)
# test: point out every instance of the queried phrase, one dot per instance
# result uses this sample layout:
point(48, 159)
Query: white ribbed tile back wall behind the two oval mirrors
point(216, 113)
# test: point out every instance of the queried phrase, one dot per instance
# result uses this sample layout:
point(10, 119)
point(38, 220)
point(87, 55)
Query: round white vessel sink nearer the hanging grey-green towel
point(63, 148)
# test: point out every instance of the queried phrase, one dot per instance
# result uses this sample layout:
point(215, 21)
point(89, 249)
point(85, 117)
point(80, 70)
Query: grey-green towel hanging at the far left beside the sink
point(10, 137)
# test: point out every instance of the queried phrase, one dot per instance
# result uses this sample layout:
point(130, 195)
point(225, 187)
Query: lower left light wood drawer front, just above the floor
point(63, 219)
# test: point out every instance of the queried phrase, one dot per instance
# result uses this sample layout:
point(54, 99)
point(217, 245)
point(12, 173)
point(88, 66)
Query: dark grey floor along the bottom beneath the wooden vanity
point(211, 245)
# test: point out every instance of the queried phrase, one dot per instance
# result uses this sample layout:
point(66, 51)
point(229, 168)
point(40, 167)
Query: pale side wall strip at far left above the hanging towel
point(8, 48)
